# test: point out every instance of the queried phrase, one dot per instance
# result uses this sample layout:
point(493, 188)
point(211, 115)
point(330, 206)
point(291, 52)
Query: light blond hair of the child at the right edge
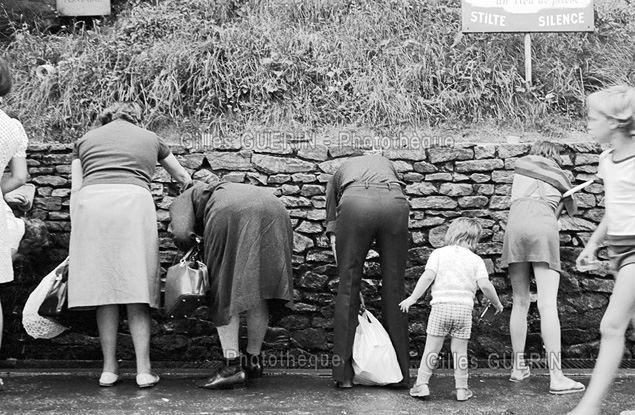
point(617, 103)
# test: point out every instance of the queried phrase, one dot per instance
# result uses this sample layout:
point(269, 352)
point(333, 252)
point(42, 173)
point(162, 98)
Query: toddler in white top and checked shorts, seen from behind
point(455, 273)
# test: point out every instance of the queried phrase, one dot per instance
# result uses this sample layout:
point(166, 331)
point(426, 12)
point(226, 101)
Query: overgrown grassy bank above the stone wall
point(311, 65)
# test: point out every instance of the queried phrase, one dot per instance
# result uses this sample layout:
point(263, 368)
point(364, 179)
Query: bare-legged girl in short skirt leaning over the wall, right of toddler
point(532, 245)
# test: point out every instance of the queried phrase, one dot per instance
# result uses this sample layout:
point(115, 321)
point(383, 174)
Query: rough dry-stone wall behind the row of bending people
point(442, 183)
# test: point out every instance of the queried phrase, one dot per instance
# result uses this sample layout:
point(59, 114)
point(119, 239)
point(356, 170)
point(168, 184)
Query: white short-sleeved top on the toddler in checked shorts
point(457, 270)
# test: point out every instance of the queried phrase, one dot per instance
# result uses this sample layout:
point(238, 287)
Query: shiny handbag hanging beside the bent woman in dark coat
point(186, 285)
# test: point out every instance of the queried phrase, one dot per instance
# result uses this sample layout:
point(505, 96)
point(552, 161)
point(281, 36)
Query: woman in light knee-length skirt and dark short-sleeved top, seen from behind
point(114, 249)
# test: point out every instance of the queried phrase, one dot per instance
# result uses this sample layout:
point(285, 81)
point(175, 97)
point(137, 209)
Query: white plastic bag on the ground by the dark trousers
point(374, 358)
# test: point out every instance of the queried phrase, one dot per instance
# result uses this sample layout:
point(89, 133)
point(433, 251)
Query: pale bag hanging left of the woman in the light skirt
point(35, 325)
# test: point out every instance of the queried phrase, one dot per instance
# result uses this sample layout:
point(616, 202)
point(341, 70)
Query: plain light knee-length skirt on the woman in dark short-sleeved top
point(114, 247)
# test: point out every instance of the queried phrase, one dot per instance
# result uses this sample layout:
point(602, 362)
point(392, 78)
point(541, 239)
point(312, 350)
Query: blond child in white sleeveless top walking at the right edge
point(611, 120)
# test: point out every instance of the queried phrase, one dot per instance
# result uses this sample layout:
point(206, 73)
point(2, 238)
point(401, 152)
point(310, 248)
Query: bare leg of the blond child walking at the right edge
point(613, 328)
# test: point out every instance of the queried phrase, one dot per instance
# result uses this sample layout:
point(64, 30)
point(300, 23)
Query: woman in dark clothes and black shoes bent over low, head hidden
point(248, 241)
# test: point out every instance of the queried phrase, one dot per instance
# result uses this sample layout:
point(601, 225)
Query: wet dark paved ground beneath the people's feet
point(289, 392)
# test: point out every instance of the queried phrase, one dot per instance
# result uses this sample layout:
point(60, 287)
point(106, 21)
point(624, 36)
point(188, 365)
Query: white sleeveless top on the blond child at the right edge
point(619, 193)
